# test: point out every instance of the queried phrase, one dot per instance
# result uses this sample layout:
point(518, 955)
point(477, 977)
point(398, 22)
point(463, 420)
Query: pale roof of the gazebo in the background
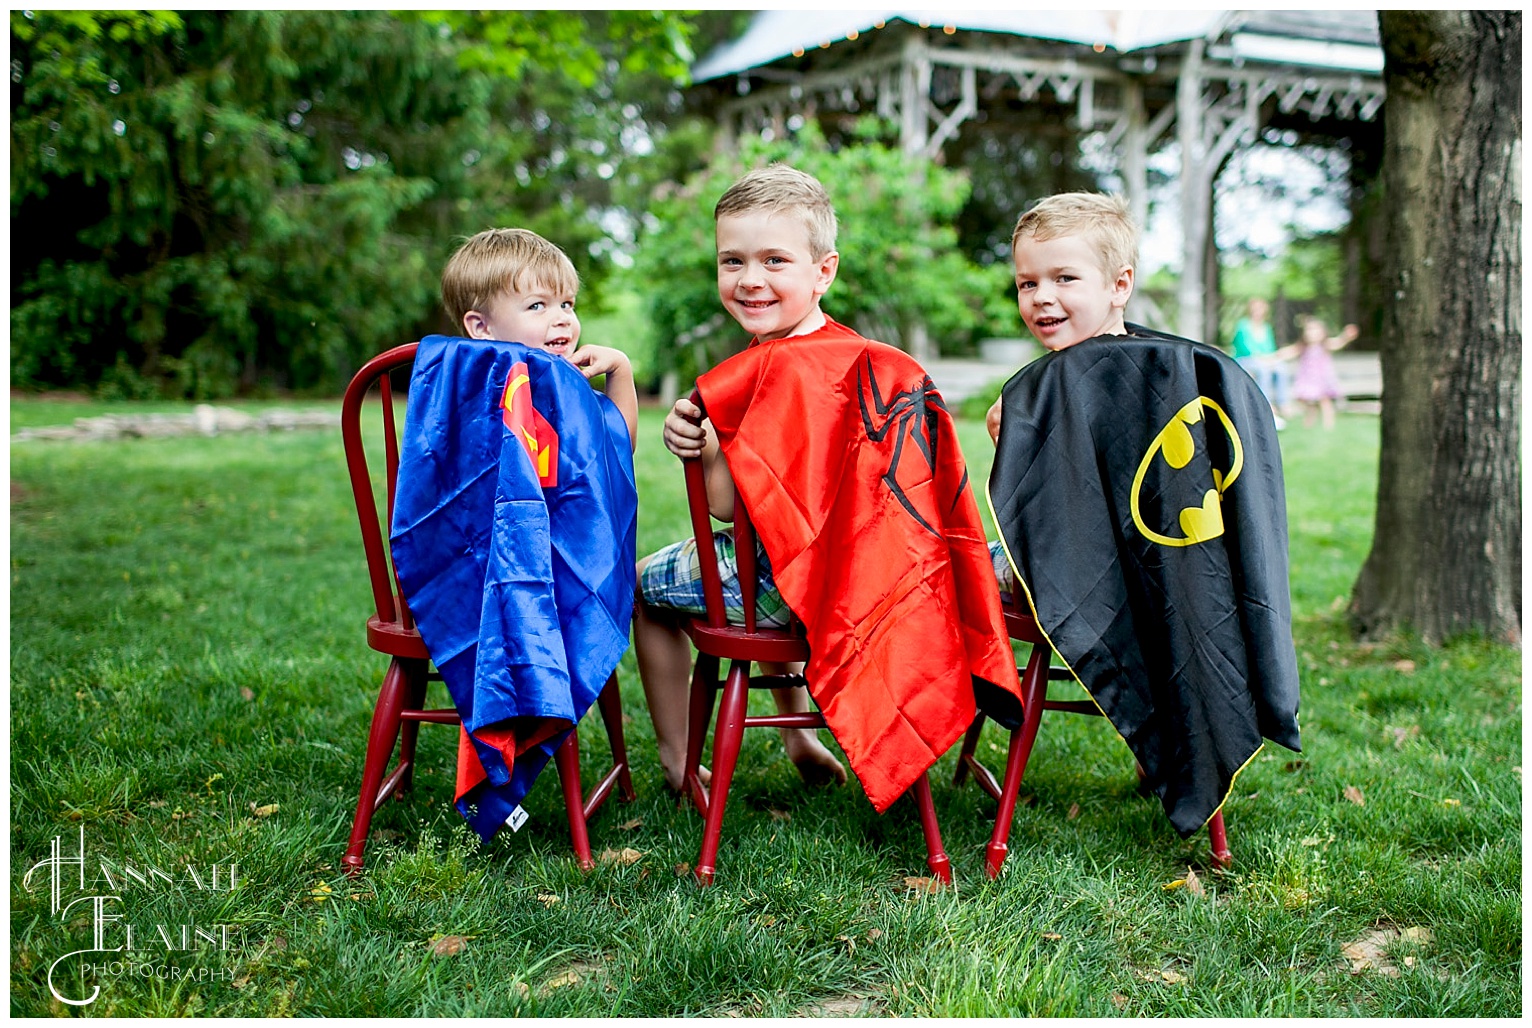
point(1346, 41)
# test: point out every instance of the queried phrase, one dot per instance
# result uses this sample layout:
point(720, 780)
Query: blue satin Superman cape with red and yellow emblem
point(514, 540)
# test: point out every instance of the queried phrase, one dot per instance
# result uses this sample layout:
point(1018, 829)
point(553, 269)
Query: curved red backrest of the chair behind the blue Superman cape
point(387, 594)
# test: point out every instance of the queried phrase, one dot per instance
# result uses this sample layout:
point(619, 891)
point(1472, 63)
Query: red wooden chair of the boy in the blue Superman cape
point(391, 630)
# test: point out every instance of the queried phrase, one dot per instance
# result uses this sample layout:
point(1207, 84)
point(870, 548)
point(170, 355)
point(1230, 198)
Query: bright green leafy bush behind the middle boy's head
point(900, 260)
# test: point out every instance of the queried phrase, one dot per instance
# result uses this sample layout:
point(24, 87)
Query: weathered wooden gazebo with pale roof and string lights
point(1131, 82)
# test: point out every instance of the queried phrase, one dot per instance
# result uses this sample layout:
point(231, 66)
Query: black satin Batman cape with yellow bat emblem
point(1138, 486)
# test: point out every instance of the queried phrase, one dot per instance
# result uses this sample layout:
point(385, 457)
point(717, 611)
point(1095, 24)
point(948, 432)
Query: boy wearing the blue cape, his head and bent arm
point(517, 287)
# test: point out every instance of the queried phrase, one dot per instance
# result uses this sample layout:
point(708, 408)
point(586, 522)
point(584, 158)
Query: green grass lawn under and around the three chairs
point(191, 686)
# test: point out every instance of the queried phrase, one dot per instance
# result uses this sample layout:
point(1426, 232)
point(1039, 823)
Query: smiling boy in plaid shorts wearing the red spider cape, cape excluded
point(776, 240)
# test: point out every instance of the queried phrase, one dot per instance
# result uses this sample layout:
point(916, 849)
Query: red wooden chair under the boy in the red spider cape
point(744, 646)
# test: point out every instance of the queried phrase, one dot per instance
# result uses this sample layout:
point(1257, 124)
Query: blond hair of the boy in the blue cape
point(499, 261)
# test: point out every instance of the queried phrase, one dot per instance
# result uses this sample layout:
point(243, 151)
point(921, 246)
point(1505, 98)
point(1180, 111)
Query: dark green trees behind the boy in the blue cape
point(221, 201)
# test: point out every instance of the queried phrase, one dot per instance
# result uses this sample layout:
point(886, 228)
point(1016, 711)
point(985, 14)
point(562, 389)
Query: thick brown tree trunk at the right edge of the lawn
point(1447, 552)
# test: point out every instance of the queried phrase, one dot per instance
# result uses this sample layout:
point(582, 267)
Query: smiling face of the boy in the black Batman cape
point(1064, 293)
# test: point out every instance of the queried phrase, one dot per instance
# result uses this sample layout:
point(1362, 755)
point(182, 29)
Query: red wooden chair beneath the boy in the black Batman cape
point(1035, 699)
